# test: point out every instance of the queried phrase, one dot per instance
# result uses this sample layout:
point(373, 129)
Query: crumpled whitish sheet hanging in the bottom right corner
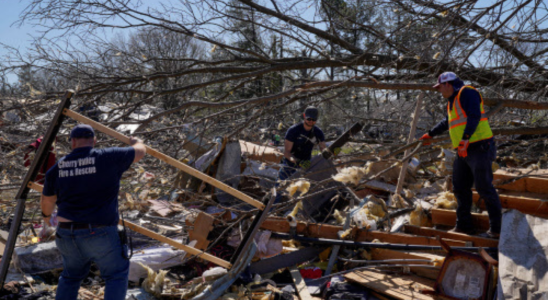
point(523, 262)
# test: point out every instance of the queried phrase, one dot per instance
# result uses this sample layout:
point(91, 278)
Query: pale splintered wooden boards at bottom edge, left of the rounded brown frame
point(397, 286)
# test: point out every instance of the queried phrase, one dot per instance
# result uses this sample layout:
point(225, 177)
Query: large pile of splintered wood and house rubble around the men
point(335, 232)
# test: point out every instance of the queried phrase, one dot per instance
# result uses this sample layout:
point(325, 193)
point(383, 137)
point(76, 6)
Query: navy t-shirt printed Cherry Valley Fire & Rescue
point(87, 182)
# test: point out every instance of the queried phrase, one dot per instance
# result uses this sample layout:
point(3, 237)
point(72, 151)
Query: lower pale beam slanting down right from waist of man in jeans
point(161, 238)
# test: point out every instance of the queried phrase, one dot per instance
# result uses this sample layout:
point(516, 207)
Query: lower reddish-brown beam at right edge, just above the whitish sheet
point(525, 202)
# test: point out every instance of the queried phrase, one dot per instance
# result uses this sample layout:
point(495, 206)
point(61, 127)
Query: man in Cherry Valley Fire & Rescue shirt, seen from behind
point(84, 185)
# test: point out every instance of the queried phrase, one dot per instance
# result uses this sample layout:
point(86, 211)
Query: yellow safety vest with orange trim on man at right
point(457, 122)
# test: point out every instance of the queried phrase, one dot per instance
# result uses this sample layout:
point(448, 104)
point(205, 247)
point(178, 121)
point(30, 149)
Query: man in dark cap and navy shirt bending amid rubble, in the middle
point(300, 139)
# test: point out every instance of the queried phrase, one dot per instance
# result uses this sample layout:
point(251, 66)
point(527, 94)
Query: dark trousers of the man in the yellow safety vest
point(475, 169)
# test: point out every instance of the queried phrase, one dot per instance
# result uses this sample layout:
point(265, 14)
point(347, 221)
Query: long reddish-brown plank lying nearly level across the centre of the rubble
point(319, 230)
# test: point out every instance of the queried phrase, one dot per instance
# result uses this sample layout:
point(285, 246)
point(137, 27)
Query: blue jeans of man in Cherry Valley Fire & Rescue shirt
point(100, 245)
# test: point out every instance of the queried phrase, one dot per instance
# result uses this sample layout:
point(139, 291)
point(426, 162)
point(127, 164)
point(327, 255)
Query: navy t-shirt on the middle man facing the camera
point(303, 140)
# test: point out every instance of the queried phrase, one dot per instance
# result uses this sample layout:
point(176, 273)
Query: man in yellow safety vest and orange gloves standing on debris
point(472, 137)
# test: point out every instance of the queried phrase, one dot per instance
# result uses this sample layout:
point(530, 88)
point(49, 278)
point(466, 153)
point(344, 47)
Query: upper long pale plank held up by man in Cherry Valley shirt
point(167, 159)
